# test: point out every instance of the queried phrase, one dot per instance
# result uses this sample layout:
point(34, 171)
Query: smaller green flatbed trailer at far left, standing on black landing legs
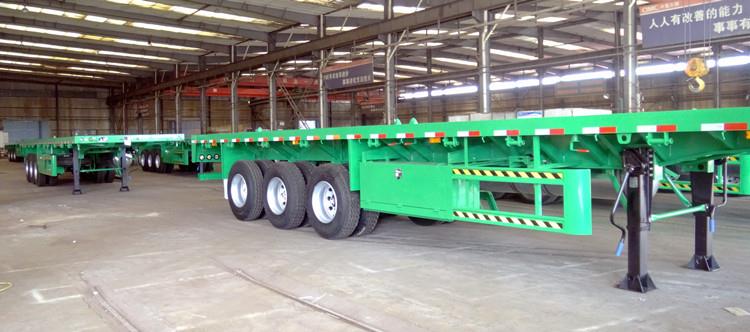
point(101, 156)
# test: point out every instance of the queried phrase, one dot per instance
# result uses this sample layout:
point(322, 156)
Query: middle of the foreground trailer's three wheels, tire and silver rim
point(284, 179)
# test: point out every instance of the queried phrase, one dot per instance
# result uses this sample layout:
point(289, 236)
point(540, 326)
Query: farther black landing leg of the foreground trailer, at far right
point(702, 186)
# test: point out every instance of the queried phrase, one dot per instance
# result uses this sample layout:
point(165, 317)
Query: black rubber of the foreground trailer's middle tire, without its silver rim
point(294, 213)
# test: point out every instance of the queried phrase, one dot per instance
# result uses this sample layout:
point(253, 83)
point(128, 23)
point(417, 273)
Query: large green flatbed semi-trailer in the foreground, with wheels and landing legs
point(339, 179)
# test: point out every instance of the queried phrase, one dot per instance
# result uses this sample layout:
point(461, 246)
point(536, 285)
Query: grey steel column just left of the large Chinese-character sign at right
point(631, 95)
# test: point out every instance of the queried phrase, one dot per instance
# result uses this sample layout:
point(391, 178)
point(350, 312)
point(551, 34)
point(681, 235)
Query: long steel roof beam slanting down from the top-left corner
point(153, 19)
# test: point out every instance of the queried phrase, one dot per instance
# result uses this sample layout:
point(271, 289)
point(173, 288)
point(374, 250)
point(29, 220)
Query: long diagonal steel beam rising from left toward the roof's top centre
point(451, 11)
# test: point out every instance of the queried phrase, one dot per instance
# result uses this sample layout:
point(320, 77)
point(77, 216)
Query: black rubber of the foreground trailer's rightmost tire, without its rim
point(347, 214)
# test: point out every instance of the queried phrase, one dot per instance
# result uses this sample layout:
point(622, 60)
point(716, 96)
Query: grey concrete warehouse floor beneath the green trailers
point(169, 256)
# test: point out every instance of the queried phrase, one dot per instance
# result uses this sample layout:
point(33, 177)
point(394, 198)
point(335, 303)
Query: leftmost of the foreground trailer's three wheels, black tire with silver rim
point(252, 206)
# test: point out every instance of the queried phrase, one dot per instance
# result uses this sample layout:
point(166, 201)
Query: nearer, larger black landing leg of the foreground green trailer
point(639, 193)
